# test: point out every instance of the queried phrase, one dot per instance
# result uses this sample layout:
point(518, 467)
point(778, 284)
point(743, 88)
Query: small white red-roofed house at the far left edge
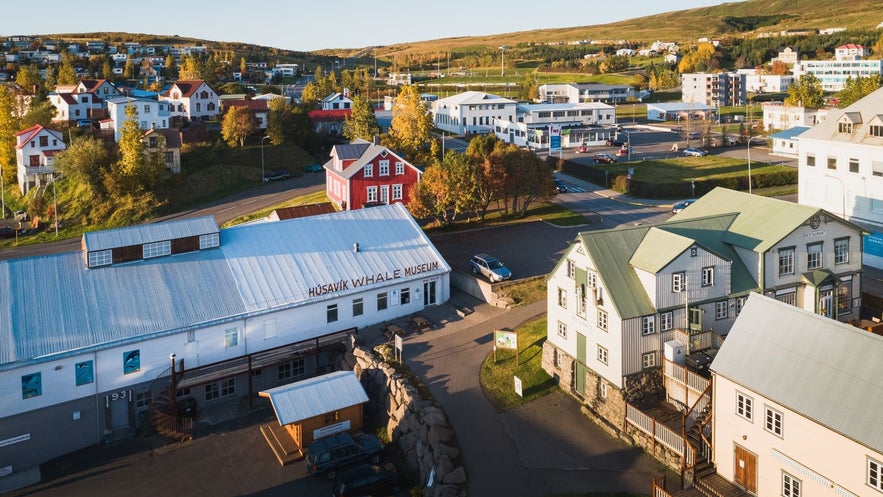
point(35, 148)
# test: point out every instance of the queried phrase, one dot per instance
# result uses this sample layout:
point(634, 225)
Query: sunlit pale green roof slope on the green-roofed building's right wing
point(755, 228)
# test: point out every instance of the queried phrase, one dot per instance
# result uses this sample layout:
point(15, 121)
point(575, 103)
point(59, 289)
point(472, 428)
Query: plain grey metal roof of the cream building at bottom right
point(828, 371)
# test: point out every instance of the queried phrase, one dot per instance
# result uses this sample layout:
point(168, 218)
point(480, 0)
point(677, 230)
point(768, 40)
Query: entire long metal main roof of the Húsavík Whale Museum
point(53, 306)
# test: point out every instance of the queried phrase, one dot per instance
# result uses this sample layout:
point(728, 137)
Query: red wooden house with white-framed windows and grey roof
point(363, 174)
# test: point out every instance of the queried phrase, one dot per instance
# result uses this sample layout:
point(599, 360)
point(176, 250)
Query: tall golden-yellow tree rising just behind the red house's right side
point(411, 125)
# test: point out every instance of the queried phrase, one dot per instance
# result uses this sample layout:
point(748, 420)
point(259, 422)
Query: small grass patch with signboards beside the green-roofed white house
point(497, 378)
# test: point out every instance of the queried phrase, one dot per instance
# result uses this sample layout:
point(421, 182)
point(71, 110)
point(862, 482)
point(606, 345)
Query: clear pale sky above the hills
point(293, 25)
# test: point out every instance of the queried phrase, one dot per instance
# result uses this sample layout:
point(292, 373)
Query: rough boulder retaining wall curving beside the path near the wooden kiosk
point(417, 426)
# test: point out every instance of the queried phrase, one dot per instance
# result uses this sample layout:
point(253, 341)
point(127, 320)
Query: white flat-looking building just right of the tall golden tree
point(471, 112)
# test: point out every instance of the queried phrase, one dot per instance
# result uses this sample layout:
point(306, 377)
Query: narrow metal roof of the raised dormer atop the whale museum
point(148, 233)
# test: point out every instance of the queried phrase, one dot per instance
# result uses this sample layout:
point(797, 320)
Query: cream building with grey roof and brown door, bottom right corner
point(796, 398)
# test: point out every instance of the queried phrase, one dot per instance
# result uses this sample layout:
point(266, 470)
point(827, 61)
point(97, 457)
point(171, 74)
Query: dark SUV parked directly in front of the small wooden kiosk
point(330, 454)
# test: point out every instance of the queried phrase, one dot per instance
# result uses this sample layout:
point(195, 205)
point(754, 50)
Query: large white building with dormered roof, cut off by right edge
point(841, 170)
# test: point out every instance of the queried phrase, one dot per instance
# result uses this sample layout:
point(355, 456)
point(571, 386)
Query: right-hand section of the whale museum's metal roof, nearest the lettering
point(278, 263)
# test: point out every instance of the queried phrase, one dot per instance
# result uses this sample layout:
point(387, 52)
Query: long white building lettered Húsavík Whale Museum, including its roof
point(234, 311)
